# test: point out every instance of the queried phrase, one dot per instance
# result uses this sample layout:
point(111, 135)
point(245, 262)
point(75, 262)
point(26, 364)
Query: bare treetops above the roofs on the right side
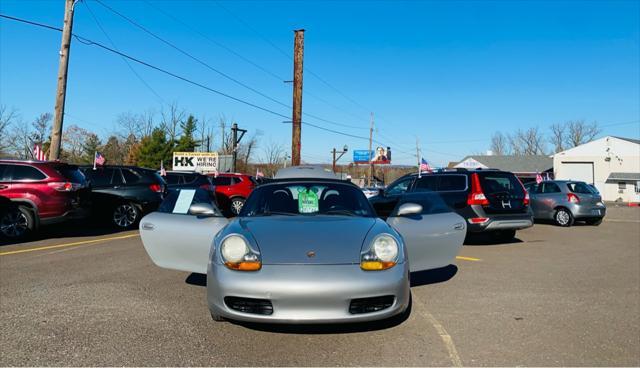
point(533, 141)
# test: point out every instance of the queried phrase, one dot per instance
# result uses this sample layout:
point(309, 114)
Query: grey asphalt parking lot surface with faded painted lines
point(554, 297)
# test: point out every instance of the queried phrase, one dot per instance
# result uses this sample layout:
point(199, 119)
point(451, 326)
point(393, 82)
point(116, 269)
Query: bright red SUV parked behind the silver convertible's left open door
point(232, 190)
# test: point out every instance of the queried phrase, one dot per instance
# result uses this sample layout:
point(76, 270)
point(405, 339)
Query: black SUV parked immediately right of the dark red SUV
point(124, 193)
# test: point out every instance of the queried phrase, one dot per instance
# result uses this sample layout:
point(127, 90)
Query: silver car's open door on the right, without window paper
point(432, 232)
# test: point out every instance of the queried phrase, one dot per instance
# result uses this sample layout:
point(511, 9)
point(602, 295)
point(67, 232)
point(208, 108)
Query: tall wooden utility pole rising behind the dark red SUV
point(61, 93)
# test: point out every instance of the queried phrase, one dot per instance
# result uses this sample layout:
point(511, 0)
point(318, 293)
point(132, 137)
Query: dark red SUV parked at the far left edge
point(43, 192)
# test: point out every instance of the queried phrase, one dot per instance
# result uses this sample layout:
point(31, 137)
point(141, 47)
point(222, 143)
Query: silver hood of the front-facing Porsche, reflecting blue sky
point(290, 239)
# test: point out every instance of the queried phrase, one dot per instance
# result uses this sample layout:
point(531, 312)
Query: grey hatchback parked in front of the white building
point(566, 201)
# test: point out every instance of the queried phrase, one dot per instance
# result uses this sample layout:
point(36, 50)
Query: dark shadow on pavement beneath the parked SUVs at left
point(70, 229)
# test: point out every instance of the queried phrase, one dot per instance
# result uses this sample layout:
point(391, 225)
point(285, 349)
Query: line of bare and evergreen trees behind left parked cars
point(141, 139)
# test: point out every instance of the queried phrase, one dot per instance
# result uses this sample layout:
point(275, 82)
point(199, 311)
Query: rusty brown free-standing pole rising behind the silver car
point(298, 56)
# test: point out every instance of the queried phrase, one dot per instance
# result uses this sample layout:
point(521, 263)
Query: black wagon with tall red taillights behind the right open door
point(491, 201)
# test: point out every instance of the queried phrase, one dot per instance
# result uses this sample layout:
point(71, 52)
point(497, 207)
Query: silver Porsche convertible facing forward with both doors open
point(303, 250)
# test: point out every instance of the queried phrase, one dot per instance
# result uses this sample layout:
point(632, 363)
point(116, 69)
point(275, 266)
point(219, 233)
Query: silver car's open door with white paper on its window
point(180, 234)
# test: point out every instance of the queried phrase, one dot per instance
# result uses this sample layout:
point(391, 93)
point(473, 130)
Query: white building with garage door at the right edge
point(612, 164)
